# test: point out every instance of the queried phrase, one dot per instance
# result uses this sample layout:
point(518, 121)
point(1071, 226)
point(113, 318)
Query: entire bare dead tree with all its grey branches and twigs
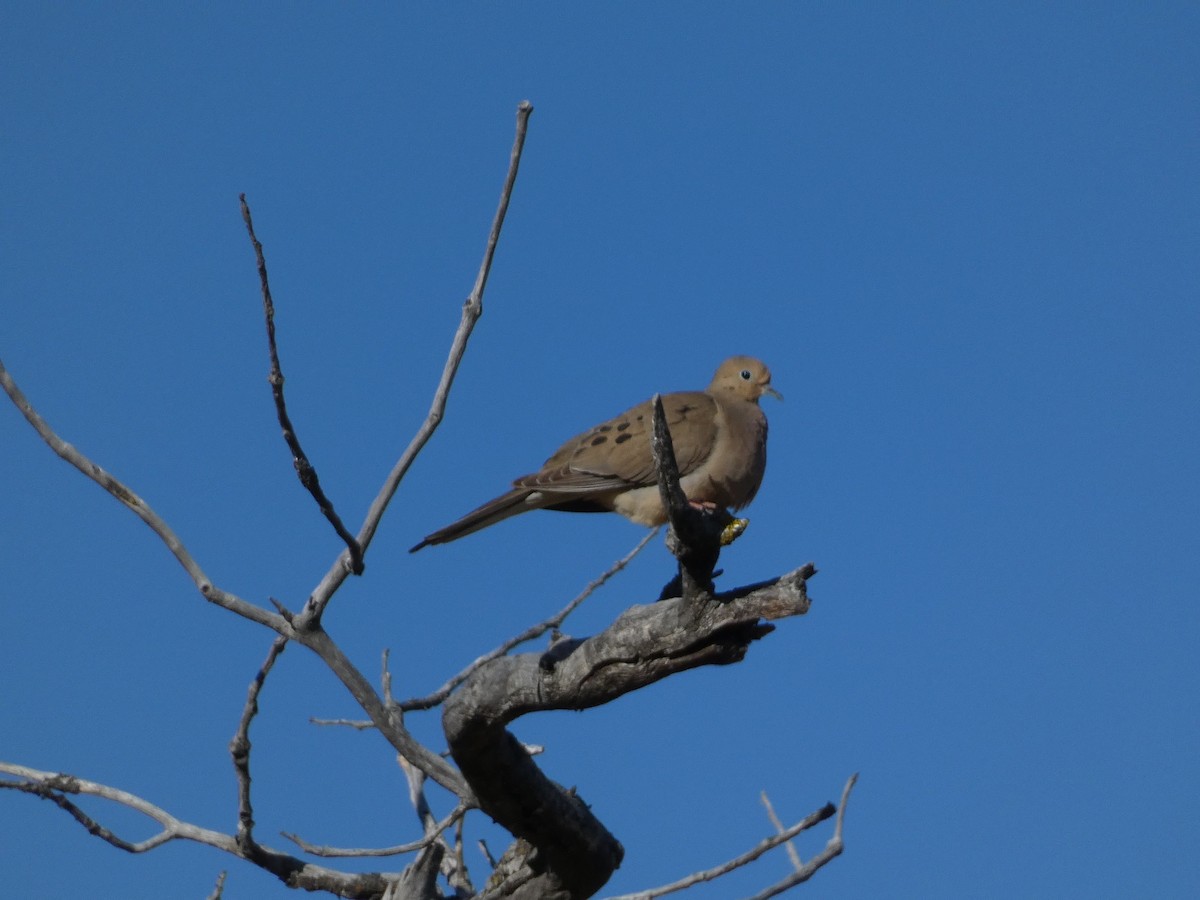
point(562, 850)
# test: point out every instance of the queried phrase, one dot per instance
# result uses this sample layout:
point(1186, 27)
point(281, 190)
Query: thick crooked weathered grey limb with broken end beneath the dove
point(646, 644)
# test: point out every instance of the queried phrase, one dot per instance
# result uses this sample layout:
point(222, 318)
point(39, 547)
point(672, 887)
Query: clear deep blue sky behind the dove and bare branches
point(967, 238)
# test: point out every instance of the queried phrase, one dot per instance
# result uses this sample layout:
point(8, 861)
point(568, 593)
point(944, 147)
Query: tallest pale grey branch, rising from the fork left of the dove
point(471, 313)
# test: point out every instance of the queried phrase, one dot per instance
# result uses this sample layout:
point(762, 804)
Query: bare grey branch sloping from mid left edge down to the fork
point(141, 509)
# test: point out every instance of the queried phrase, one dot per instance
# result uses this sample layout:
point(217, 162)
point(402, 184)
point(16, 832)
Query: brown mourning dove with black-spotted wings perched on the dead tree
point(721, 445)
